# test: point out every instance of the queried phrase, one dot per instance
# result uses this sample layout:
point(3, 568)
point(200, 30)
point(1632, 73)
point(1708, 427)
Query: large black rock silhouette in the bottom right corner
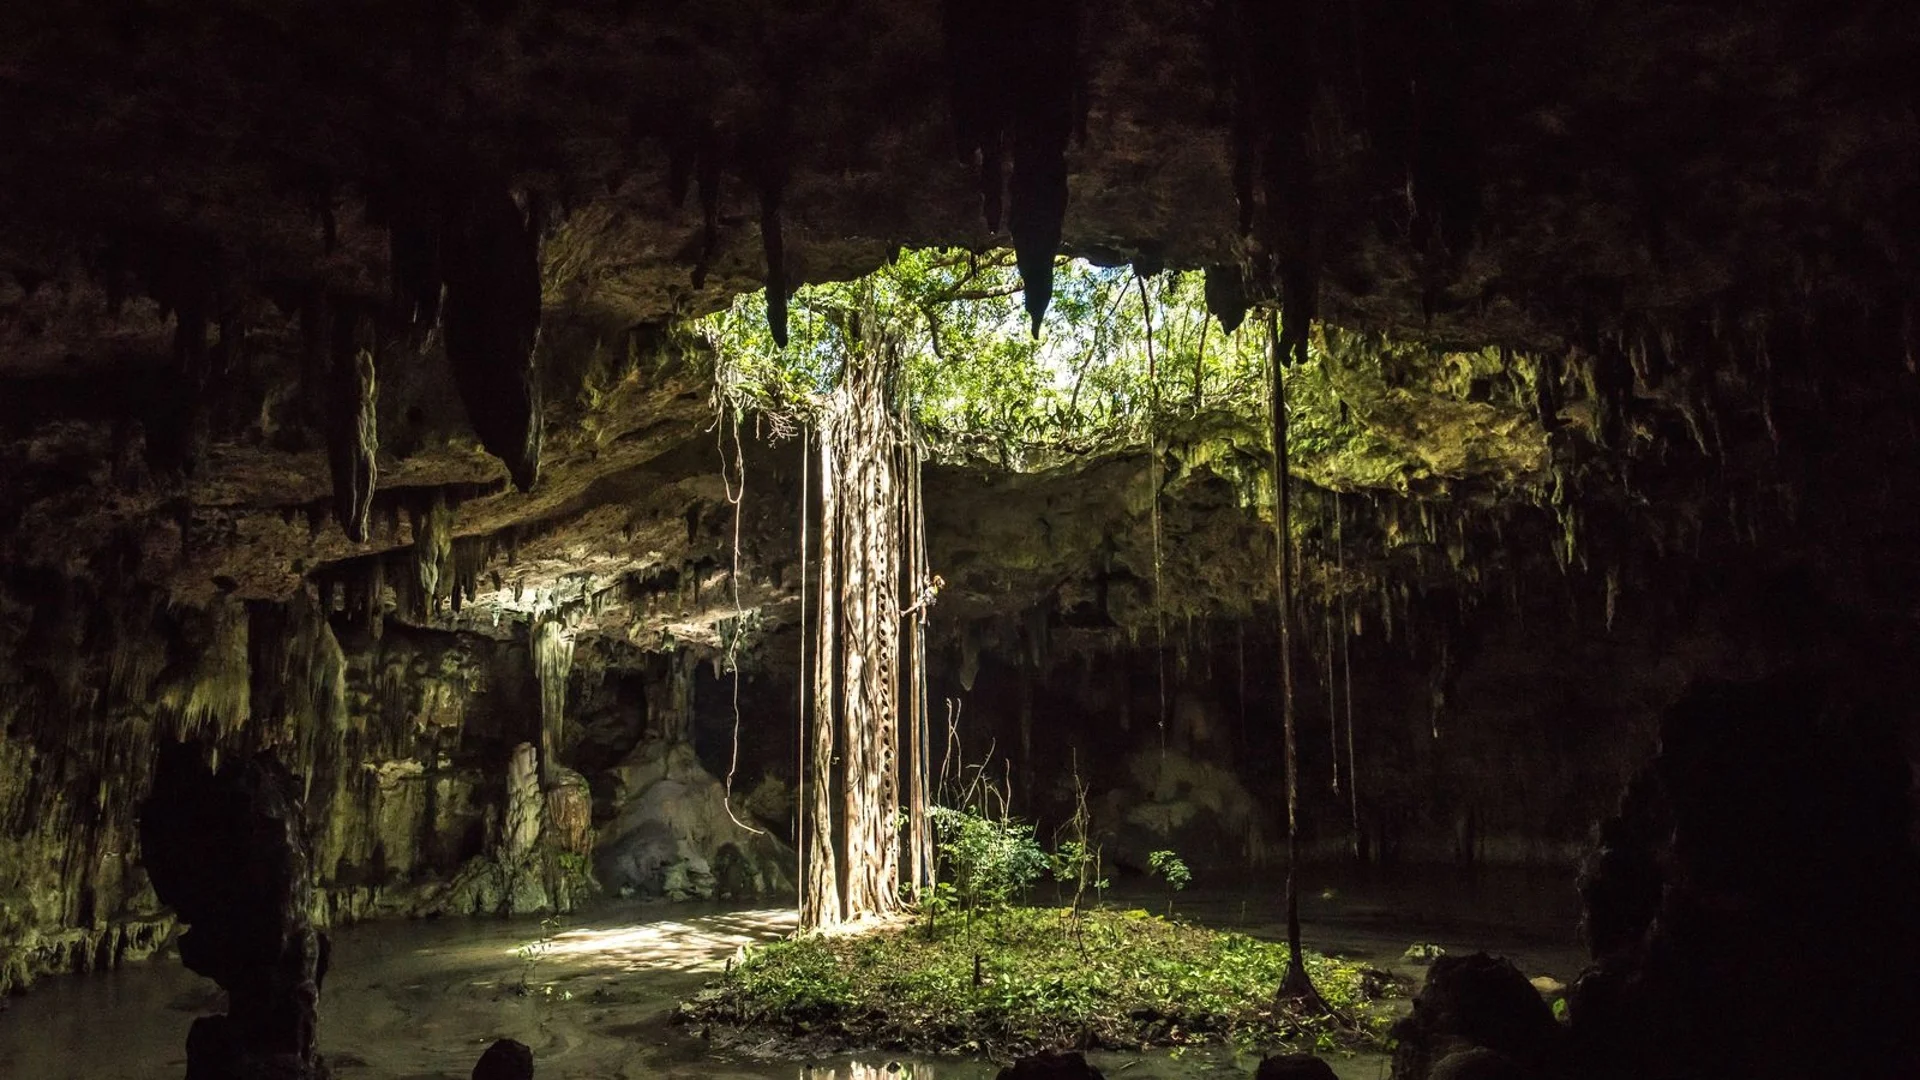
point(1762, 868)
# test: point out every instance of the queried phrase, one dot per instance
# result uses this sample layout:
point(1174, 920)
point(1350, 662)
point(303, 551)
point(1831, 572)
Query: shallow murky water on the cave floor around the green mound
point(421, 1000)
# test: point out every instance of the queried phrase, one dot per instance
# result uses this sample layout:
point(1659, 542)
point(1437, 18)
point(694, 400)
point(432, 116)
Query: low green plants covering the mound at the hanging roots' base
point(1128, 979)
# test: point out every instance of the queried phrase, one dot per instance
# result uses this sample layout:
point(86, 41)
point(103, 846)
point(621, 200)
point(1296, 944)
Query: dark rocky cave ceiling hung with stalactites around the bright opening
point(1685, 212)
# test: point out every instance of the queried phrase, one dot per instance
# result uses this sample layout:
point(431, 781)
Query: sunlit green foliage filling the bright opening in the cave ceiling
point(976, 383)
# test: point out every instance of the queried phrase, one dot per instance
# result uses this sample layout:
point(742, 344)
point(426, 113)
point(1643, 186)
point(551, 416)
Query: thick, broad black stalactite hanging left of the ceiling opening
point(492, 326)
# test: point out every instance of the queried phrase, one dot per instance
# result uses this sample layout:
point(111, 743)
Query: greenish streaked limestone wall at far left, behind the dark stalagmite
point(400, 745)
